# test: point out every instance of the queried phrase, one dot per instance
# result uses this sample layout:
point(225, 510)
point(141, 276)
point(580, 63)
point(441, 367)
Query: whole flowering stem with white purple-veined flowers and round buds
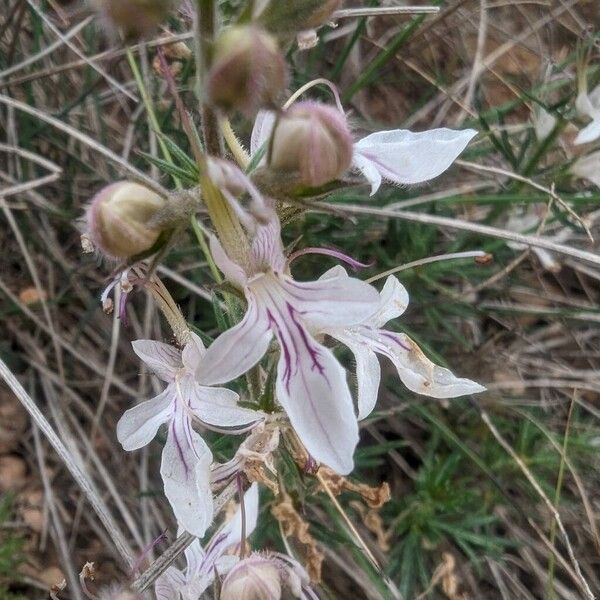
point(286, 342)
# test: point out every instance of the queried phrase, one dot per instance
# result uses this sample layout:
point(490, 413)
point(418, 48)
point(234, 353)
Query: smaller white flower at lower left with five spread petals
point(186, 459)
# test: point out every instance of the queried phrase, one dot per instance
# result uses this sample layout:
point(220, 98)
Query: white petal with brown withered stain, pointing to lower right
point(416, 371)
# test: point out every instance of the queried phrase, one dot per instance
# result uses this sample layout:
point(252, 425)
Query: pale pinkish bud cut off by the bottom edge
point(255, 578)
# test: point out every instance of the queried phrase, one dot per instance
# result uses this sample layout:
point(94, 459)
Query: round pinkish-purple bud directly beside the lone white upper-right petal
point(311, 140)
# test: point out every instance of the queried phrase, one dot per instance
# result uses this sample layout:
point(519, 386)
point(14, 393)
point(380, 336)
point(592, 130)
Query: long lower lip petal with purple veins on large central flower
point(312, 388)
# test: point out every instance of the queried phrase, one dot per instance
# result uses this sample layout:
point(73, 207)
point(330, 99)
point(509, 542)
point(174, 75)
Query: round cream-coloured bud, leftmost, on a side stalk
point(120, 219)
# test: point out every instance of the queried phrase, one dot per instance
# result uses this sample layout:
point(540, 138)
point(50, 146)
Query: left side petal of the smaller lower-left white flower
point(138, 425)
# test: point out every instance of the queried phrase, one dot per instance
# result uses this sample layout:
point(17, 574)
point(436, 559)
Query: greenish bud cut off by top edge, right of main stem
point(291, 17)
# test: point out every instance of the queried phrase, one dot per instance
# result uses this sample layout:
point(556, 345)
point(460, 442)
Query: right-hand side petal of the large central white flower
point(337, 301)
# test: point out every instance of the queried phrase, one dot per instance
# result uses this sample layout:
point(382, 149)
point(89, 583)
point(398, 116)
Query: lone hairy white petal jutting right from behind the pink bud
point(406, 157)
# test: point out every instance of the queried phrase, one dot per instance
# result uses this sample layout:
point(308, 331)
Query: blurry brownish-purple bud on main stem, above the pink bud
point(248, 71)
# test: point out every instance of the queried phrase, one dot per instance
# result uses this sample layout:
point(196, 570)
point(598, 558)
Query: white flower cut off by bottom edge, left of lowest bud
point(203, 564)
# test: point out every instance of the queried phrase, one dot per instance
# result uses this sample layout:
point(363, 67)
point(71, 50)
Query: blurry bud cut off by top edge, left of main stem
point(136, 18)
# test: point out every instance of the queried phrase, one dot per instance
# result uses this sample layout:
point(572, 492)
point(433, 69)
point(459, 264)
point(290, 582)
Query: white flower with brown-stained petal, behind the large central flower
point(366, 339)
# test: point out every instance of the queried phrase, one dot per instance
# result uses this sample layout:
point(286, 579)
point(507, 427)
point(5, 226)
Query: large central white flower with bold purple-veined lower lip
point(311, 384)
